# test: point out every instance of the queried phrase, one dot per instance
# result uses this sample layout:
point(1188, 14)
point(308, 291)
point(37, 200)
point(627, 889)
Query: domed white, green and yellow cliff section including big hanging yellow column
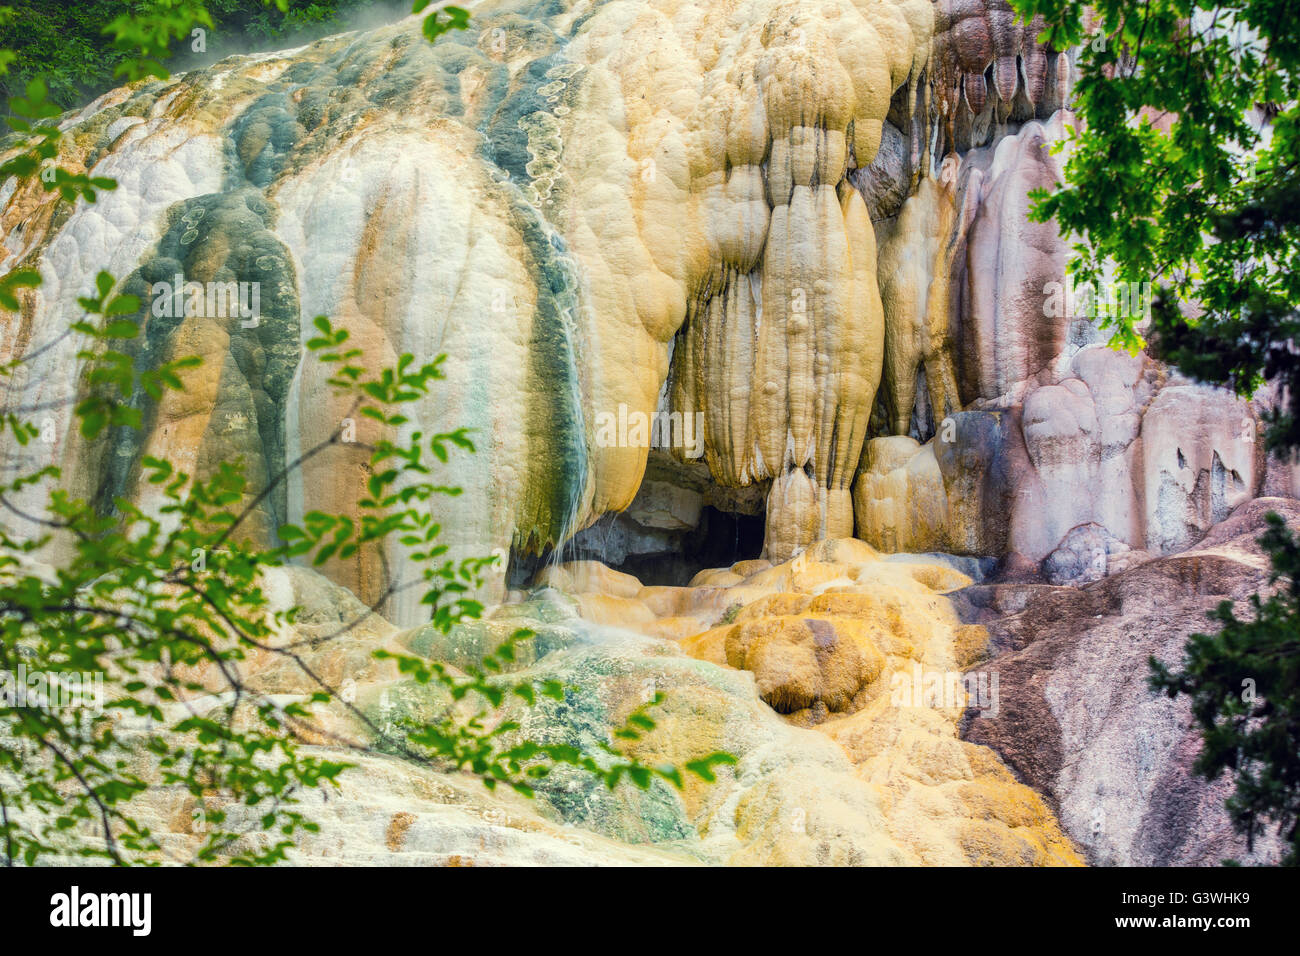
point(544, 198)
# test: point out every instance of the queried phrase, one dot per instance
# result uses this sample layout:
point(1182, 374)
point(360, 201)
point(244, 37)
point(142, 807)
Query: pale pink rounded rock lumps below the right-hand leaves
point(1154, 468)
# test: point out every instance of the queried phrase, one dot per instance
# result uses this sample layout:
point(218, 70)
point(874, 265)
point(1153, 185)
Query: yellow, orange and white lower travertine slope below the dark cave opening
point(865, 781)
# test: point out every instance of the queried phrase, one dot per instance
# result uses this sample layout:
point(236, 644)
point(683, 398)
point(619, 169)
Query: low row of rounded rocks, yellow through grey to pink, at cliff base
point(1099, 443)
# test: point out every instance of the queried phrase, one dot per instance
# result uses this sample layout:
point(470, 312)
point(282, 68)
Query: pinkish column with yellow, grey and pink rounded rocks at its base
point(1059, 431)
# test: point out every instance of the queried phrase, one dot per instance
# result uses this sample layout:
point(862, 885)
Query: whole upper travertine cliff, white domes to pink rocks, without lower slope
point(603, 214)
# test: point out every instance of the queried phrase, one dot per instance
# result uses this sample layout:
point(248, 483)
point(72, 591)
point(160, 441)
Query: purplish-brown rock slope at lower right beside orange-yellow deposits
point(1078, 721)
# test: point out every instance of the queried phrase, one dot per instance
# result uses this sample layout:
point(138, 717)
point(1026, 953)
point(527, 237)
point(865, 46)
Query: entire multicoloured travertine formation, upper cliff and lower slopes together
point(798, 233)
